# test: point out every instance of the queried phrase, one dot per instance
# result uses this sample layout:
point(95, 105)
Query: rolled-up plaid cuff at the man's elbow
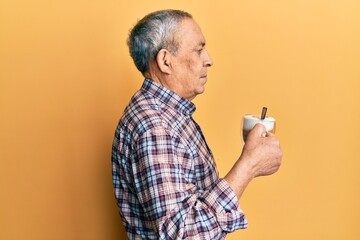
point(223, 201)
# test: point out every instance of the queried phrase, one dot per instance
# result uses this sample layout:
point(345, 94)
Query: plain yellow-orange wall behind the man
point(66, 75)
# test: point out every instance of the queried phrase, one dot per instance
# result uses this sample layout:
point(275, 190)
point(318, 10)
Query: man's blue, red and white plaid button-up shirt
point(165, 178)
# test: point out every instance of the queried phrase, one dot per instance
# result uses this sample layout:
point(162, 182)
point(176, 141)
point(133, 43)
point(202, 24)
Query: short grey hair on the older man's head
point(152, 33)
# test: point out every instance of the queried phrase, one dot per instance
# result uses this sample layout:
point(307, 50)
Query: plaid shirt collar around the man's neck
point(168, 97)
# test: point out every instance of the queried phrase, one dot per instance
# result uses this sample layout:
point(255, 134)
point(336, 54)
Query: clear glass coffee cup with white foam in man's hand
point(250, 121)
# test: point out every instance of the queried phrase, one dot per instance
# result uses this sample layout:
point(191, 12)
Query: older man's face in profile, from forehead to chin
point(191, 61)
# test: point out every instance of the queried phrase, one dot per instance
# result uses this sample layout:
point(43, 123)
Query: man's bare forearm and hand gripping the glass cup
point(261, 156)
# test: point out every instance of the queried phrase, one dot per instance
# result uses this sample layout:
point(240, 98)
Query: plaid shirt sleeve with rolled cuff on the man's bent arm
point(175, 207)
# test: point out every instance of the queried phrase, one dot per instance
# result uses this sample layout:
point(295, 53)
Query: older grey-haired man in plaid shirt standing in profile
point(165, 178)
